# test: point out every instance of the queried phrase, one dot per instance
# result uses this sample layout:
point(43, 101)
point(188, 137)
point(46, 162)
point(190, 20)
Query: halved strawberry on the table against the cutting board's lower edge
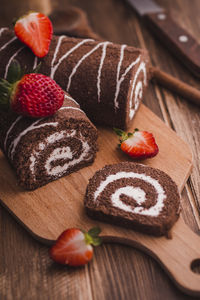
point(73, 247)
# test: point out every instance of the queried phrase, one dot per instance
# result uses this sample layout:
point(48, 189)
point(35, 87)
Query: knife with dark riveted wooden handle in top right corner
point(175, 38)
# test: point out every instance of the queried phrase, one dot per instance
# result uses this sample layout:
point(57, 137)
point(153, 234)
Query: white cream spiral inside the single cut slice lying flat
point(136, 193)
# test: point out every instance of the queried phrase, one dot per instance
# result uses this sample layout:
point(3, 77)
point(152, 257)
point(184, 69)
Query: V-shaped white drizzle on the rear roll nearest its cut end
point(120, 80)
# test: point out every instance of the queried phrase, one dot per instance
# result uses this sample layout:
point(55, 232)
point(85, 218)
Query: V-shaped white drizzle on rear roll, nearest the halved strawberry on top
point(54, 67)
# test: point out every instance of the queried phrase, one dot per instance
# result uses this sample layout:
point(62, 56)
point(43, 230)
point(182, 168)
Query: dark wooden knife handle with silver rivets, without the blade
point(176, 39)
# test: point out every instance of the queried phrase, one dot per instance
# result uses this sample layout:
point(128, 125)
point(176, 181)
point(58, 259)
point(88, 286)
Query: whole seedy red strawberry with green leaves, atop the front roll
point(33, 95)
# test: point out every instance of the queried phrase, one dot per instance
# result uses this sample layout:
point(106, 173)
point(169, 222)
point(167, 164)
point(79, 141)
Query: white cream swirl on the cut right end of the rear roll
point(138, 89)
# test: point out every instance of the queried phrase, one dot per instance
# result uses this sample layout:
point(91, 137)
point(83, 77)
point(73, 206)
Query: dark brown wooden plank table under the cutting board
point(117, 271)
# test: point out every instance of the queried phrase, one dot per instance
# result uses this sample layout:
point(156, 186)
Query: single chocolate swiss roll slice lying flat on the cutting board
point(134, 196)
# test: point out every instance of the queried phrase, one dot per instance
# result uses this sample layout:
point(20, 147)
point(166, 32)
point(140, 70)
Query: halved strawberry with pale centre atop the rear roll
point(35, 30)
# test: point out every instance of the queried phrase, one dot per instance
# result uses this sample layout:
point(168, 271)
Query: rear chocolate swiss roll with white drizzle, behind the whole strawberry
point(107, 80)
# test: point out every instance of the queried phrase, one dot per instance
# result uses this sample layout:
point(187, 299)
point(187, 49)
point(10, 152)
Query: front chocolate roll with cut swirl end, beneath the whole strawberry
point(45, 149)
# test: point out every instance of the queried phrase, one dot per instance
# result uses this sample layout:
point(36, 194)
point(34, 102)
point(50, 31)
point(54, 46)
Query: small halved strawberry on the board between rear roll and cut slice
point(139, 144)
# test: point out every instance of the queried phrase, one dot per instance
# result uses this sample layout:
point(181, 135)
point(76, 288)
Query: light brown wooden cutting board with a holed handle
point(46, 212)
